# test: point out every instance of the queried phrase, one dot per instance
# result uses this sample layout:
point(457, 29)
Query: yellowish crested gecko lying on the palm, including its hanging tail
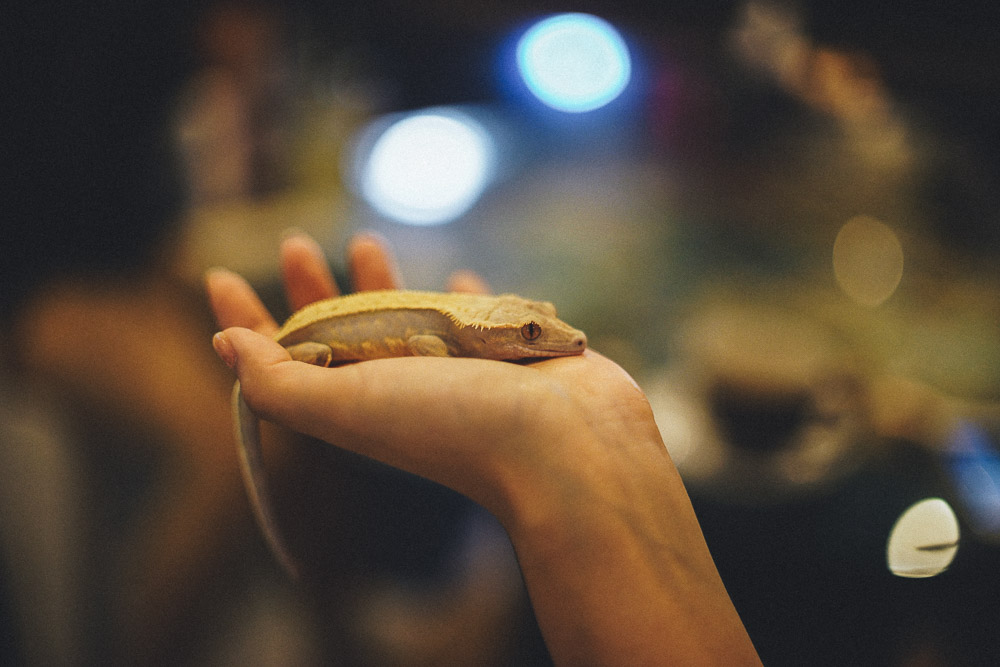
point(397, 323)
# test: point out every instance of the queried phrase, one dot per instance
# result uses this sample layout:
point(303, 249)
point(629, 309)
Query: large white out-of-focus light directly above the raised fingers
point(428, 167)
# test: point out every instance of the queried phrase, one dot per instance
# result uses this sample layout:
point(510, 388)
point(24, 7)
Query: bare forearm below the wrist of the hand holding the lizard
point(618, 570)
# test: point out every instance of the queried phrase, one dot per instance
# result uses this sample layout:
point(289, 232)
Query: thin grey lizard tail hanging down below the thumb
point(252, 466)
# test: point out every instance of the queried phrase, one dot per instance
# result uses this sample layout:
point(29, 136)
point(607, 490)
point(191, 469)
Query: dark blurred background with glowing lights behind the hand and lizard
point(780, 217)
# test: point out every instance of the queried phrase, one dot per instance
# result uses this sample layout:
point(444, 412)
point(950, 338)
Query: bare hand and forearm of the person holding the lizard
point(564, 452)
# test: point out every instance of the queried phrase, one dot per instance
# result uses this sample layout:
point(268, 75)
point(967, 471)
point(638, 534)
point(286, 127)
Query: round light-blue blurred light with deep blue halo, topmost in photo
point(574, 62)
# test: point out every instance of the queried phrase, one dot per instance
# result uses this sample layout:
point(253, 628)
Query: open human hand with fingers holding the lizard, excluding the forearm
point(441, 420)
